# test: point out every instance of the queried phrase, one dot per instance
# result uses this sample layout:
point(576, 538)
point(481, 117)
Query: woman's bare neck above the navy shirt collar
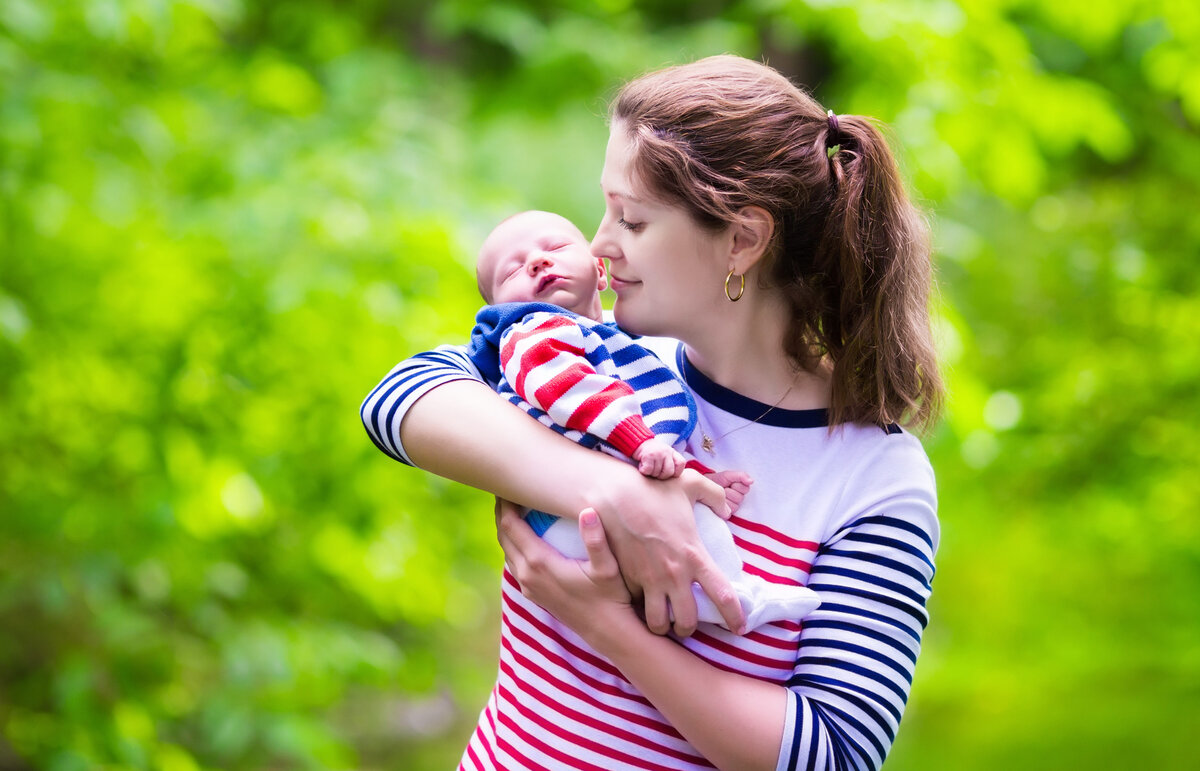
point(742, 349)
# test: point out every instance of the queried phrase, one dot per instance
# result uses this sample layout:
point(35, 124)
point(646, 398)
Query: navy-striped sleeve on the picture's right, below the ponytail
point(859, 650)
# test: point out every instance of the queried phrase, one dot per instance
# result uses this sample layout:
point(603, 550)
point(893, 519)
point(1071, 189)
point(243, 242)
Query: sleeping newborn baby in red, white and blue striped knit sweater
point(543, 343)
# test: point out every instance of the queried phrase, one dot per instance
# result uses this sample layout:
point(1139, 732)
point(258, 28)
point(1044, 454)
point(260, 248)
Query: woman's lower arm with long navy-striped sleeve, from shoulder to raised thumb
point(843, 706)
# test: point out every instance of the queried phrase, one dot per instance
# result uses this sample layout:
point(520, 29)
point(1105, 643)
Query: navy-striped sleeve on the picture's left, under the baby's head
point(386, 407)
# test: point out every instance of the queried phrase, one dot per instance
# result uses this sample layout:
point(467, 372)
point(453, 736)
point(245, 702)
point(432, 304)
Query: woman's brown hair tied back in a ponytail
point(850, 252)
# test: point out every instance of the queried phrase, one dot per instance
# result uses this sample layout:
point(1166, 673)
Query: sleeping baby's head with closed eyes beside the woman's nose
point(541, 258)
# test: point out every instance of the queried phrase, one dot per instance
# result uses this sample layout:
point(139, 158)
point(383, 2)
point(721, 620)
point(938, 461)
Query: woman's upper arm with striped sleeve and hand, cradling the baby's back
point(434, 411)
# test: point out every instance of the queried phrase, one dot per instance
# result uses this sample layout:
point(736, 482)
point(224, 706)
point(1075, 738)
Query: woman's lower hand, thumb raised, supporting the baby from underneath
point(585, 595)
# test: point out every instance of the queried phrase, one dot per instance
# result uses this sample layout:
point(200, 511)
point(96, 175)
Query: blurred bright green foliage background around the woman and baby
point(224, 220)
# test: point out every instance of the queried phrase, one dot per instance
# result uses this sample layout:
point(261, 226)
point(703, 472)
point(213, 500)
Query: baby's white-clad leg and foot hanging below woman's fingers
point(761, 600)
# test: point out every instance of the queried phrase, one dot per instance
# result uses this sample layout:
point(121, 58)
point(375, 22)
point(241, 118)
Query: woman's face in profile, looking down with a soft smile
point(668, 272)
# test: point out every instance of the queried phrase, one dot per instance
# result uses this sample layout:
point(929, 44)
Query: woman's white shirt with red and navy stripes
point(849, 513)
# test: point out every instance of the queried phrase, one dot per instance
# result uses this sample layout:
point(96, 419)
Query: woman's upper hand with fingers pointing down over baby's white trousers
point(652, 530)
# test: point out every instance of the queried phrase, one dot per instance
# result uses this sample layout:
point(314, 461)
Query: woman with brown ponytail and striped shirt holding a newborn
point(776, 242)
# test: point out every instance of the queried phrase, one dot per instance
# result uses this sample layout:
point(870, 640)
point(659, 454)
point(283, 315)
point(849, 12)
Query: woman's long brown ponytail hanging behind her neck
point(872, 276)
